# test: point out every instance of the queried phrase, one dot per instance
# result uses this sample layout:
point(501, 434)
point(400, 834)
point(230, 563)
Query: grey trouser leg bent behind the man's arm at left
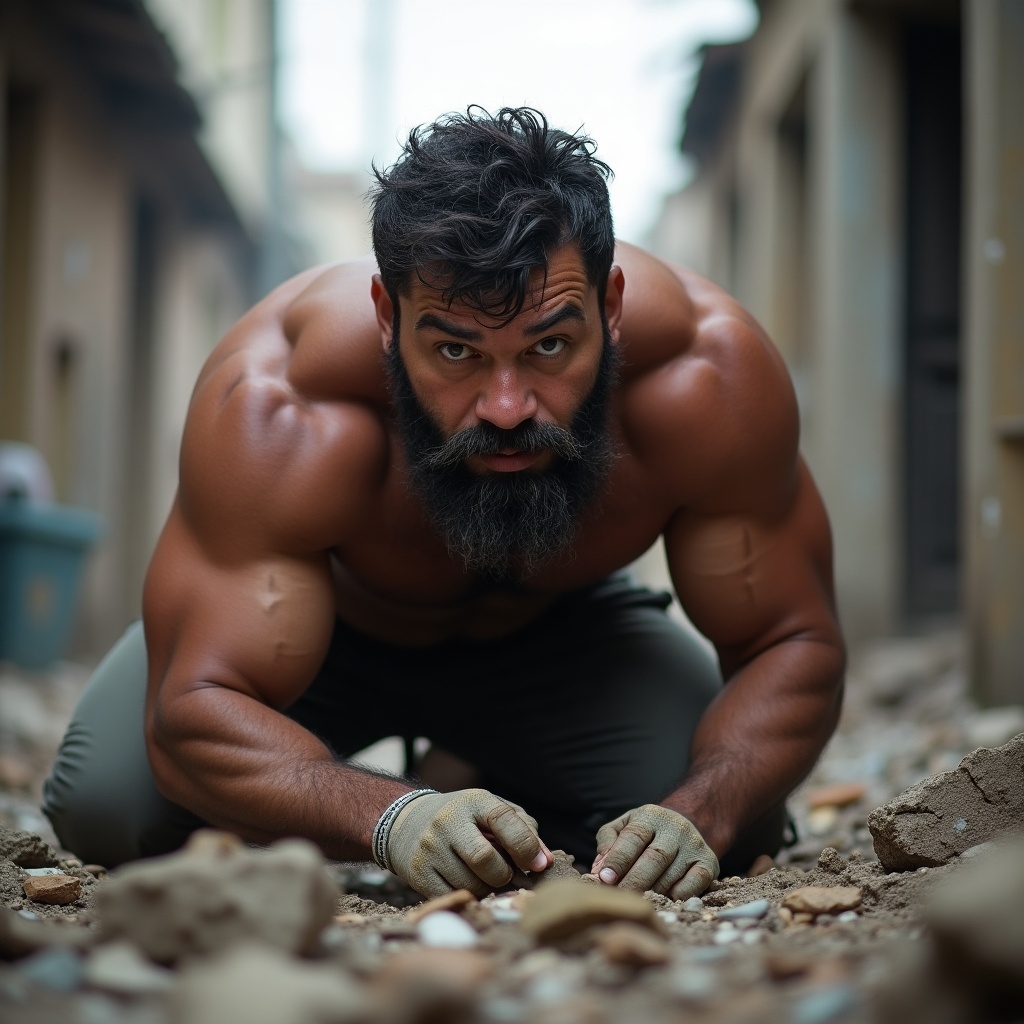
point(101, 797)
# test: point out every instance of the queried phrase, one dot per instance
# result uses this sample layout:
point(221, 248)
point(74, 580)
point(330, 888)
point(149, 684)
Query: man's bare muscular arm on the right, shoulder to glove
point(751, 558)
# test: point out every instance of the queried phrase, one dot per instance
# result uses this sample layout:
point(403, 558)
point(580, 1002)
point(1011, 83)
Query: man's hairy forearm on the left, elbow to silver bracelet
point(263, 776)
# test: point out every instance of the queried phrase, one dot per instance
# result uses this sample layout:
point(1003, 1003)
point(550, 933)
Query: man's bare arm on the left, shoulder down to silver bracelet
point(239, 611)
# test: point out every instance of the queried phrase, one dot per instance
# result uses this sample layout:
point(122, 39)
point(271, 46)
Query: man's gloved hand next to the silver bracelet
point(447, 841)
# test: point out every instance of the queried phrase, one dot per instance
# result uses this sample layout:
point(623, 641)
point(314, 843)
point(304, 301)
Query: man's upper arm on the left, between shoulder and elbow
point(260, 623)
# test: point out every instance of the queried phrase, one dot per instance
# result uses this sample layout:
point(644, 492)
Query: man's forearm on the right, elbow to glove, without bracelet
point(759, 739)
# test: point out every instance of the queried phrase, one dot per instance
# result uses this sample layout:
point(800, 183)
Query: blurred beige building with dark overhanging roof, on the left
point(140, 214)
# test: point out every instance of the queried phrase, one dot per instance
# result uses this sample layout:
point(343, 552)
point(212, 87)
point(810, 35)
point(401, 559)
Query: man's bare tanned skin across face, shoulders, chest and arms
point(293, 508)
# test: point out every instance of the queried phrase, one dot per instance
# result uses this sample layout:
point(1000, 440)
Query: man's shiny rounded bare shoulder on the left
point(287, 417)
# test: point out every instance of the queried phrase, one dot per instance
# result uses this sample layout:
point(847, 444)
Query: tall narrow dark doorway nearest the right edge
point(932, 330)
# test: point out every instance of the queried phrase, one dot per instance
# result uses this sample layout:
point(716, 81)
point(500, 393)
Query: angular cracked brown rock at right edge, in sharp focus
point(940, 819)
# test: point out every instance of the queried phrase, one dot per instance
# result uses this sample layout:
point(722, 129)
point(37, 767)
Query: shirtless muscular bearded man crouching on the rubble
point(407, 495)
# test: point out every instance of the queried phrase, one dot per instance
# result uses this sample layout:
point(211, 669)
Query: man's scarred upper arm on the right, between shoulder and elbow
point(755, 578)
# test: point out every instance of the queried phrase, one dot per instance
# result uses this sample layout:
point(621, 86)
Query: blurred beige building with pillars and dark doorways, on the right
point(862, 191)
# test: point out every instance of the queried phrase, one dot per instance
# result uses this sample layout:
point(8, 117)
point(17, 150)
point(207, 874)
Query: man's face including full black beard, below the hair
point(505, 426)
